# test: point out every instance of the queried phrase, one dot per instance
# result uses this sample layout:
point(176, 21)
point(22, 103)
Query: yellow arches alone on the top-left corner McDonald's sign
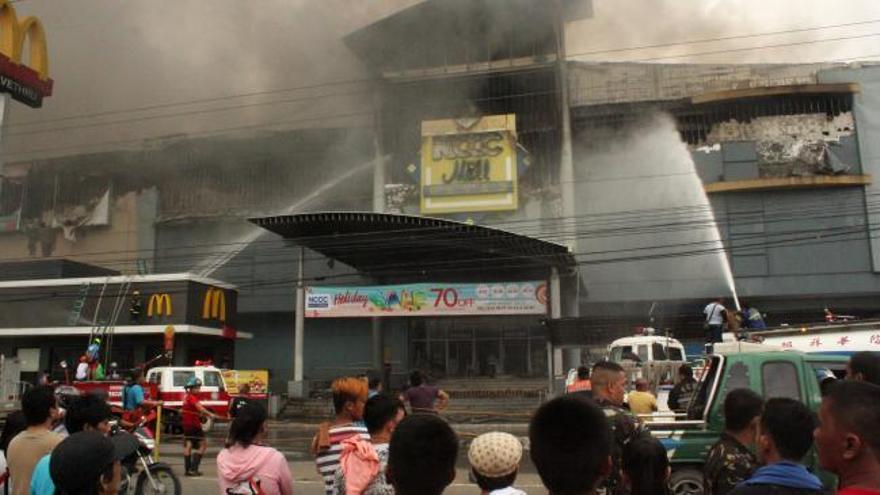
point(14, 32)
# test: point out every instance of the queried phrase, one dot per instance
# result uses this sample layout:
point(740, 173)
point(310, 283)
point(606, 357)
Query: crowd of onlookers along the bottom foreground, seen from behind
point(579, 443)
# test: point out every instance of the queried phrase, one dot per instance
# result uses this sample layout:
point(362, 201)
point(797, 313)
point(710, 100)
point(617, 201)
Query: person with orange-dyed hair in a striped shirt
point(349, 398)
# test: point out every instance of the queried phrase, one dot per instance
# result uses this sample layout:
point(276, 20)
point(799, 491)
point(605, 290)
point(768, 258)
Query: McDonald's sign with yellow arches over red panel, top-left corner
point(25, 83)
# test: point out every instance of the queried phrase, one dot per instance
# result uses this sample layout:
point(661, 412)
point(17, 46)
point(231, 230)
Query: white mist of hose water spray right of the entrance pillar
point(640, 197)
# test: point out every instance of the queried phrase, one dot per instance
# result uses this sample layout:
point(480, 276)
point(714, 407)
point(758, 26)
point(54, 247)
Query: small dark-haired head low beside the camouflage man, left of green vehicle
point(645, 466)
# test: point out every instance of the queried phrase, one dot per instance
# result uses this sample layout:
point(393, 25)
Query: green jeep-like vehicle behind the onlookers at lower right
point(771, 374)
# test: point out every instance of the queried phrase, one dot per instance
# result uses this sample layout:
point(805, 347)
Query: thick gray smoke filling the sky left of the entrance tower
point(107, 56)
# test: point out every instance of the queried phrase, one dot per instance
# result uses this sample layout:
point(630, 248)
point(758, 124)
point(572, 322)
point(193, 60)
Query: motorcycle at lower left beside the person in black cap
point(141, 473)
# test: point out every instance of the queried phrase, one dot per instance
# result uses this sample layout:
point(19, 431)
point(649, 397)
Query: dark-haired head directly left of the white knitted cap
point(421, 455)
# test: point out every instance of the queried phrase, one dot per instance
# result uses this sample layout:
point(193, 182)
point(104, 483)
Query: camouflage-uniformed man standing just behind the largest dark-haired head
point(609, 381)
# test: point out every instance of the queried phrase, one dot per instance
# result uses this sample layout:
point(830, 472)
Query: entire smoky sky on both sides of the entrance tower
point(139, 70)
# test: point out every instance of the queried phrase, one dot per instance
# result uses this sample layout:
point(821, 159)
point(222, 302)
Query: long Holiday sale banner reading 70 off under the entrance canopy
point(507, 298)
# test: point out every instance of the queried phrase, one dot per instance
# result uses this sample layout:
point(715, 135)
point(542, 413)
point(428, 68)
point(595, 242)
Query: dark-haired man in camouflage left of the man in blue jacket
point(730, 461)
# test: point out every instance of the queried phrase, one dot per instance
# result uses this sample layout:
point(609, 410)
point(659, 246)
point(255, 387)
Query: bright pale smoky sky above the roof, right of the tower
point(628, 23)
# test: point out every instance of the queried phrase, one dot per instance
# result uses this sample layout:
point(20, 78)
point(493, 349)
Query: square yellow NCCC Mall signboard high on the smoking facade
point(469, 165)
